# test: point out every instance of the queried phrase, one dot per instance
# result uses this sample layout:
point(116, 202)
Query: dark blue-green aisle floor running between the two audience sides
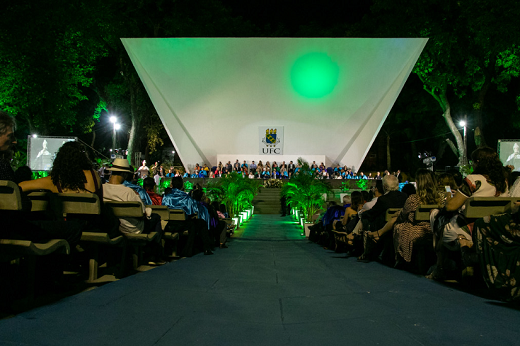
point(271, 287)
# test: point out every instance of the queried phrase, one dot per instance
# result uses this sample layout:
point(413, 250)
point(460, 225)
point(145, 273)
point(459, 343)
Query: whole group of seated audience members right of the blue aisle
point(448, 245)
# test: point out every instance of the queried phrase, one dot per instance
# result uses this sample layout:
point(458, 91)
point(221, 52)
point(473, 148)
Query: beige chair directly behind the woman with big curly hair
point(89, 204)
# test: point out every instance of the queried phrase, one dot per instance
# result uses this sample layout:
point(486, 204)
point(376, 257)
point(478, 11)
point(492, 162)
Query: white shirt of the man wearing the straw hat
point(119, 192)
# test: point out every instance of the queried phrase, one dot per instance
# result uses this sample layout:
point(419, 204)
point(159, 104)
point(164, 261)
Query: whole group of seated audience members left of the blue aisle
point(72, 172)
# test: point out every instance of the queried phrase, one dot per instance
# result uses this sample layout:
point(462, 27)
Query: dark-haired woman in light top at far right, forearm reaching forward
point(453, 233)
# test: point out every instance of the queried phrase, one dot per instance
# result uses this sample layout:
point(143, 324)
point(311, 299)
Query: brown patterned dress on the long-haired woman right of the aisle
point(408, 231)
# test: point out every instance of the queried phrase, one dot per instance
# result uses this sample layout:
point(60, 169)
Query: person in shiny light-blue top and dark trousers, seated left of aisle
point(177, 199)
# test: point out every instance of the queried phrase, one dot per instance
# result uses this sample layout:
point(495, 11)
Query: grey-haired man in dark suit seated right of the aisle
point(374, 219)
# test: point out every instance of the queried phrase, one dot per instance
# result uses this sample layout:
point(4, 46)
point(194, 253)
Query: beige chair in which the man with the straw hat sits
point(122, 209)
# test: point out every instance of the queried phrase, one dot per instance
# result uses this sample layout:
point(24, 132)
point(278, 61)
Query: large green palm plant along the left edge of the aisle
point(233, 190)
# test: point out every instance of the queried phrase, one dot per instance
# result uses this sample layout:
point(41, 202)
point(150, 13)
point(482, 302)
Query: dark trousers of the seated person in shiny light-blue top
point(197, 228)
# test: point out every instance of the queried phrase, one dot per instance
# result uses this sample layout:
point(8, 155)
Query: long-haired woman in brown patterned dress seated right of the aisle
point(408, 231)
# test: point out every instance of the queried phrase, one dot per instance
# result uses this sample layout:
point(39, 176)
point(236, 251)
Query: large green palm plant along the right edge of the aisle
point(305, 191)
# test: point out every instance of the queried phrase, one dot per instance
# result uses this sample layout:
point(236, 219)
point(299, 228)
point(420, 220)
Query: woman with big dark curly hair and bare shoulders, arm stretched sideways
point(72, 171)
